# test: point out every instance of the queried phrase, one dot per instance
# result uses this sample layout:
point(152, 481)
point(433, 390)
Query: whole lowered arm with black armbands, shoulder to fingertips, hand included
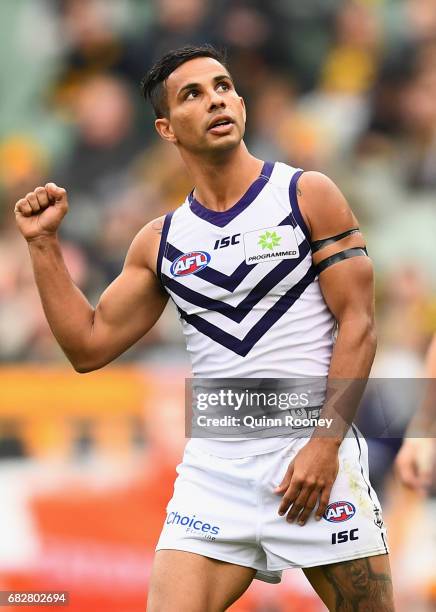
point(347, 287)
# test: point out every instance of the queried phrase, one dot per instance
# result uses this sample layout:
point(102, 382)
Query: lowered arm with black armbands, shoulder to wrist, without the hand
point(348, 289)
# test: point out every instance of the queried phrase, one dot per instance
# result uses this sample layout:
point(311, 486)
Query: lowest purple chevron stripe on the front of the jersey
point(244, 346)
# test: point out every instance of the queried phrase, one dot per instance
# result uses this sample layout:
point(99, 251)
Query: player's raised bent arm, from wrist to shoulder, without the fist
point(127, 309)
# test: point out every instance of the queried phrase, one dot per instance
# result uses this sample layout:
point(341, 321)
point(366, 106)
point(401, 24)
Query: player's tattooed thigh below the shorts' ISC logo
point(360, 585)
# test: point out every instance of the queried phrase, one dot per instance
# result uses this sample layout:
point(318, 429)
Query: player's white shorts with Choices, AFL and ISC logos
point(226, 509)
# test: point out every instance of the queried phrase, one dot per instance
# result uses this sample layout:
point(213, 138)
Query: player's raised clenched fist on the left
point(41, 211)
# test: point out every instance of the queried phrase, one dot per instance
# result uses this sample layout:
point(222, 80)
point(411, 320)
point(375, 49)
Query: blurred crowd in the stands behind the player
point(344, 87)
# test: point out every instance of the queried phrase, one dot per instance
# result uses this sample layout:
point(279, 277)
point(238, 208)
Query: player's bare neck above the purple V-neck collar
point(222, 181)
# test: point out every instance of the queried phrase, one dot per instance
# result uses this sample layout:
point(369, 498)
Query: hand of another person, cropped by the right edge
point(414, 463)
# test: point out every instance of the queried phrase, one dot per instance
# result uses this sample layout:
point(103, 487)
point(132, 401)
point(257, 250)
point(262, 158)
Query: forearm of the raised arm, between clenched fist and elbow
point(68, 312)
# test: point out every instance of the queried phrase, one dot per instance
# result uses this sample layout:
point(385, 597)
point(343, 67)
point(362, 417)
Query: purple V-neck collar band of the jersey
point(221, 219)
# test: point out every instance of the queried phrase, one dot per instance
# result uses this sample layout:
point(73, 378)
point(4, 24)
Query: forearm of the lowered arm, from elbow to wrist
point(352, 358)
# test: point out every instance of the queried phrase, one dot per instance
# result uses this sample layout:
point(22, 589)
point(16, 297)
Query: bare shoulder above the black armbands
point(323, 205)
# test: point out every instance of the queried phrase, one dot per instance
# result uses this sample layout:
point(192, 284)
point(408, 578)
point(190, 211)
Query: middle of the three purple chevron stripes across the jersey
point(239, 312)
